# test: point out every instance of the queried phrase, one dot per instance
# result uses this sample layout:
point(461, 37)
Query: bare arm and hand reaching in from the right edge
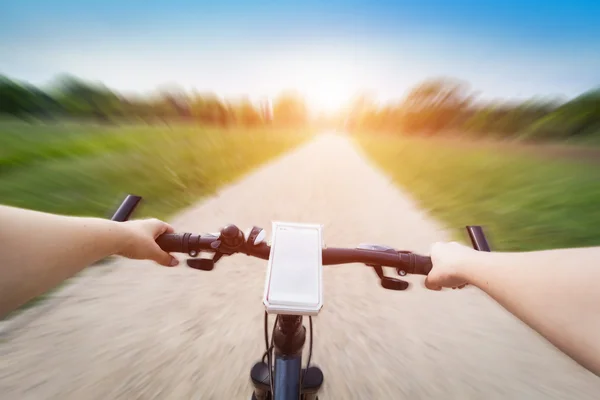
point(555, 292)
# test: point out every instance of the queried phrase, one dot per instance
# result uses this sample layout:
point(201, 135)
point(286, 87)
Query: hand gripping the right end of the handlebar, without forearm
point(448, 260)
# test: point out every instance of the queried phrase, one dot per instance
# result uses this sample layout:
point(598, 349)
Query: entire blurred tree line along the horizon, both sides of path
point(439, 106)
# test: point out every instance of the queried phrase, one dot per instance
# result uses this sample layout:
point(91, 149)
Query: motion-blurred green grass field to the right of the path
point(525, 201)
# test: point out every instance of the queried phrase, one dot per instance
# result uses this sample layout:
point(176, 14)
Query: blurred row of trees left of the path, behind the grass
point(70, 97)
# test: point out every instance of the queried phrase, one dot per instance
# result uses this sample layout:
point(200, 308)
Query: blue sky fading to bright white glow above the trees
point(328, 50)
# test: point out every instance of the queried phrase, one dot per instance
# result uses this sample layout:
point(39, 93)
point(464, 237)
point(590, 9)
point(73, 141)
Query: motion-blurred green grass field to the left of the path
point(87, 170)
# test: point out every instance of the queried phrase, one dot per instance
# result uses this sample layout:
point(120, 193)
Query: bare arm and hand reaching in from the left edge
point(39, 250)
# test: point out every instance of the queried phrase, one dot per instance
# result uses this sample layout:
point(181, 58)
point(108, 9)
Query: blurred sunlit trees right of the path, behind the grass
point(446, 106)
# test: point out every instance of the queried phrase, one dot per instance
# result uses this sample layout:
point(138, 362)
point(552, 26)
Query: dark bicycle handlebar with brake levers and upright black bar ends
point(231, 240)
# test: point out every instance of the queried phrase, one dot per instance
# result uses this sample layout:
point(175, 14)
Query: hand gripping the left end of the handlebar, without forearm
point(140, 241)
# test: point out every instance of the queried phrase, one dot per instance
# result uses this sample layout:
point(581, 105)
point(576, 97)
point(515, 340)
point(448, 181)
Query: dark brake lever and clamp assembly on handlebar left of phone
point(228, 242)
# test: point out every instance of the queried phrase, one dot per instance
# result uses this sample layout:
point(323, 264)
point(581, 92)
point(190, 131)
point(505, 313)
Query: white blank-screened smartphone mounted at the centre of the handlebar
point(294, 282)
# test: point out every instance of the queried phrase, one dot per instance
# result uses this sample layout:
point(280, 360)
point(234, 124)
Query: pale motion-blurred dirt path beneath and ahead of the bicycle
point(144, 332)
